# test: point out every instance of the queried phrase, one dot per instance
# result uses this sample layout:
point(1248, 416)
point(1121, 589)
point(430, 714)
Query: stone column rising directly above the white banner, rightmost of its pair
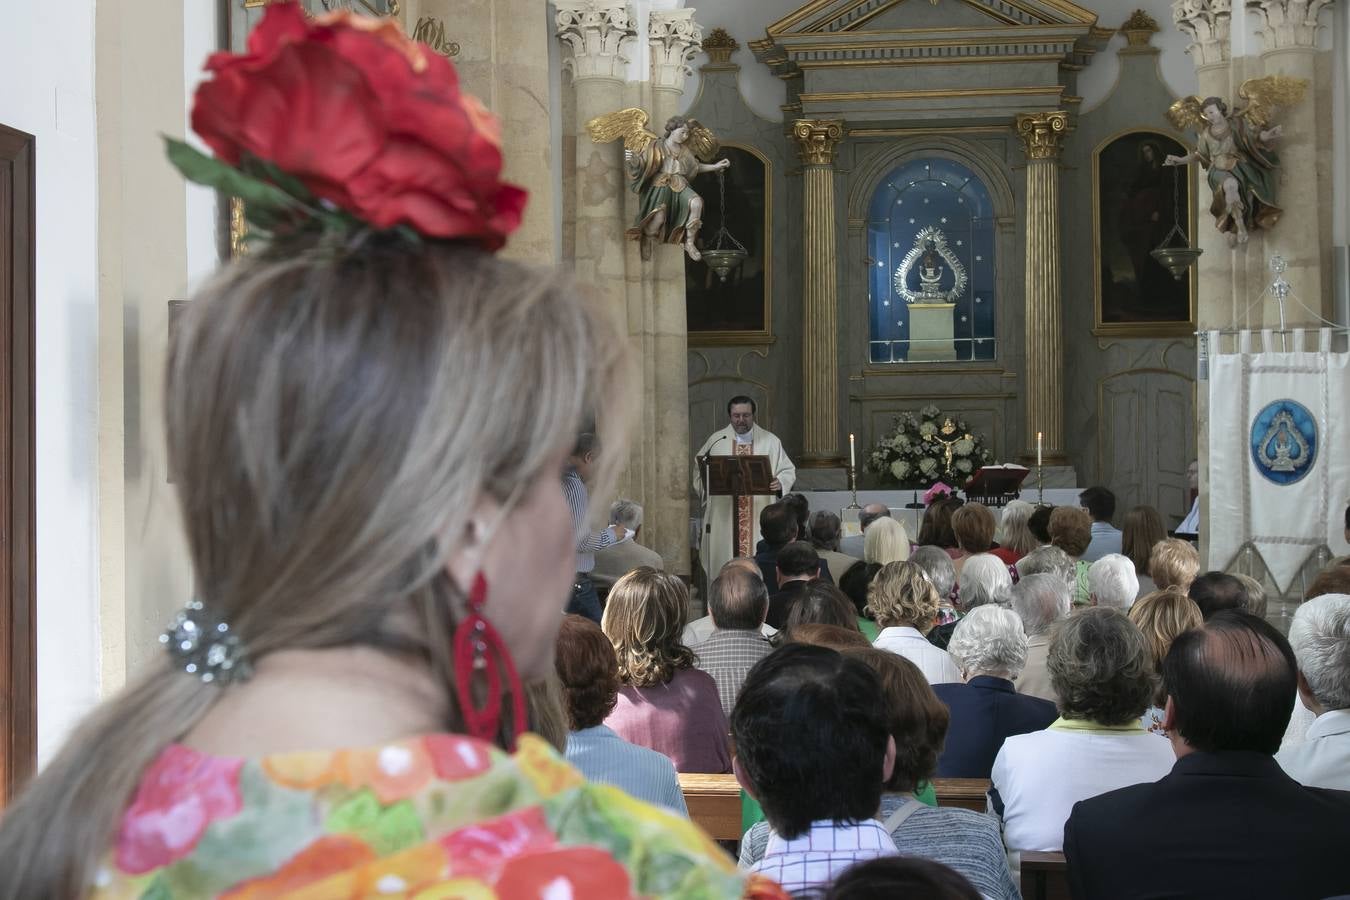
point(1291, 47)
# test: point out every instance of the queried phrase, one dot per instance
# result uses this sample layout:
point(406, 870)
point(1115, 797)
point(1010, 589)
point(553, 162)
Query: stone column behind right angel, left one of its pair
point(1218, 289)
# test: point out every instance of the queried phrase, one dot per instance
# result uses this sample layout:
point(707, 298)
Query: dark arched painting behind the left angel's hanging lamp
point(732, 308)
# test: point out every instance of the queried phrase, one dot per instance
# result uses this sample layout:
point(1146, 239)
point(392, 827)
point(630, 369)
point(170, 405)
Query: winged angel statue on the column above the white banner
point(1236, 148)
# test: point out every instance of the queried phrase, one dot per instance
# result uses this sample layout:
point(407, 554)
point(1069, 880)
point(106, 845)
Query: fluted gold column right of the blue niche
point(1042, 134)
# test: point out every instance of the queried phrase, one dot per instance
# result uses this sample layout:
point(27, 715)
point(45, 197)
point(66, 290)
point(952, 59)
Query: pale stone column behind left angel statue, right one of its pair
point(673, 40)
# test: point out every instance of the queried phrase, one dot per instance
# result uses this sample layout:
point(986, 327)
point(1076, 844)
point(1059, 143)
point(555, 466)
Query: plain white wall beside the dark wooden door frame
point(47, 68)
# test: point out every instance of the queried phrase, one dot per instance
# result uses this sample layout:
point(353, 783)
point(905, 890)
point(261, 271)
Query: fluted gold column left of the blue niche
point(817, 140)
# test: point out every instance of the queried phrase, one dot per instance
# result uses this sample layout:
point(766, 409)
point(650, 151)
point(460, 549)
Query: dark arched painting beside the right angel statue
point(1139, 206)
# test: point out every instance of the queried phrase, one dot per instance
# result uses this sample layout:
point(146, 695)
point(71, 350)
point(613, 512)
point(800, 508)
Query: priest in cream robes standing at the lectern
point(743, 438)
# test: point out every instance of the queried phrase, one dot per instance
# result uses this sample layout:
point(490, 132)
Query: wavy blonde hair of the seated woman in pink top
point(645, 617)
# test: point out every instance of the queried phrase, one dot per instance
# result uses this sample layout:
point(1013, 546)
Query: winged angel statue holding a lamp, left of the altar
point(659, 171)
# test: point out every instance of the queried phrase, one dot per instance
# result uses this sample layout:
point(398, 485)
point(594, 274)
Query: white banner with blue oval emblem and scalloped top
point(1279, 462)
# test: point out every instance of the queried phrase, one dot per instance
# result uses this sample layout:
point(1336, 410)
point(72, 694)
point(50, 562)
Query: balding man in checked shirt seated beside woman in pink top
point(738, 602)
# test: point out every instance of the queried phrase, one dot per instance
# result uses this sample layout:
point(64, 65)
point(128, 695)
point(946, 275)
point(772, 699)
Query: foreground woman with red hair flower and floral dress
point(367, 423)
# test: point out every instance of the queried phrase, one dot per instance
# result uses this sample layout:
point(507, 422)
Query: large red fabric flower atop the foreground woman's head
point(367, 119)
